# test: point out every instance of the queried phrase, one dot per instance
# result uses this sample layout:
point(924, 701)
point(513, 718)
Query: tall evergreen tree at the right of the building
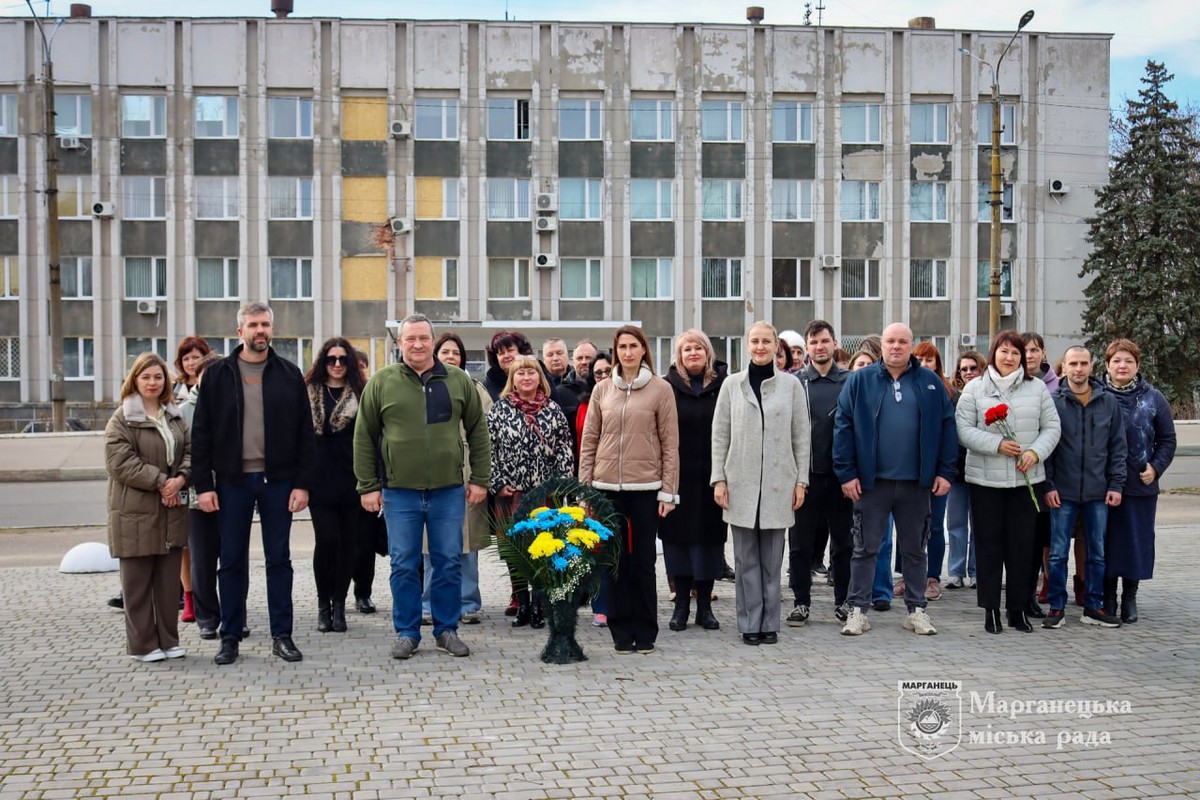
point(1145, 263)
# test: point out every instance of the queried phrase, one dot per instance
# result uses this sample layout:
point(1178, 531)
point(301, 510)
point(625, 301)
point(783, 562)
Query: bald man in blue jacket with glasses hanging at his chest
point(895, 446)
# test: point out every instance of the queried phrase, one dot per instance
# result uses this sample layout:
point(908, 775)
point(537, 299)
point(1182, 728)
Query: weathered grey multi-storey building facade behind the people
point(549, 177)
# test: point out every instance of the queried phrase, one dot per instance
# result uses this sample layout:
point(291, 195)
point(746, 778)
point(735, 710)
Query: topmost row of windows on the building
point(217, 117)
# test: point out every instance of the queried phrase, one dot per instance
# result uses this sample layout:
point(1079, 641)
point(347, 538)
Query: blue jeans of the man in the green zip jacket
point(412, 515)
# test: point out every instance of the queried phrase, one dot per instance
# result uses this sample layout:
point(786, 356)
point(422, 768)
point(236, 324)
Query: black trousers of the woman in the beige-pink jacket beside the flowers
point(633, 598)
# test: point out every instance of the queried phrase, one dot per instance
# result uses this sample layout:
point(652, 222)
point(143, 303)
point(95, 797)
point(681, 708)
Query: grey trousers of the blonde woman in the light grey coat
point(758, 564)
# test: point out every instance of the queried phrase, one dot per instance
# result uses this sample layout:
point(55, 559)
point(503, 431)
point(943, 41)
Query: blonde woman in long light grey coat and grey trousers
point(760, 474)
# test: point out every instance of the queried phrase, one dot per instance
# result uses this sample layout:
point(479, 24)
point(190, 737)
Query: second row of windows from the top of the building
point(511, 199)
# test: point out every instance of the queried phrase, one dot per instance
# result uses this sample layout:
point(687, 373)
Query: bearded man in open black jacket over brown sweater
point(253, 444)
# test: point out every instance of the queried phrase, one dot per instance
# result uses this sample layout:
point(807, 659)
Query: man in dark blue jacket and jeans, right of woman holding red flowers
point(1085, 477)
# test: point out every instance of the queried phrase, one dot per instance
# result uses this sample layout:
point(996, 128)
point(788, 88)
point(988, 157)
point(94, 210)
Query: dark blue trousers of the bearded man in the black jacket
point(238, 501)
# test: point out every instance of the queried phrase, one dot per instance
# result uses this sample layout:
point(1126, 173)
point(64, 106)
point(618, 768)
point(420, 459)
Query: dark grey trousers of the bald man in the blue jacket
point(908, 503)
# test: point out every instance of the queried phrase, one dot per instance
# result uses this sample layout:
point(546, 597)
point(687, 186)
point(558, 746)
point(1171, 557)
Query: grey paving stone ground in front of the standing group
point(705, 717)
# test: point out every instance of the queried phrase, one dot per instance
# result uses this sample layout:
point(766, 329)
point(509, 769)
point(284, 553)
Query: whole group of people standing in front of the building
point(797, 448)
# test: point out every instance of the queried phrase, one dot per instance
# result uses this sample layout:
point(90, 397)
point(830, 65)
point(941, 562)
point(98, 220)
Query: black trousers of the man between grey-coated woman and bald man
point(825, 516)
